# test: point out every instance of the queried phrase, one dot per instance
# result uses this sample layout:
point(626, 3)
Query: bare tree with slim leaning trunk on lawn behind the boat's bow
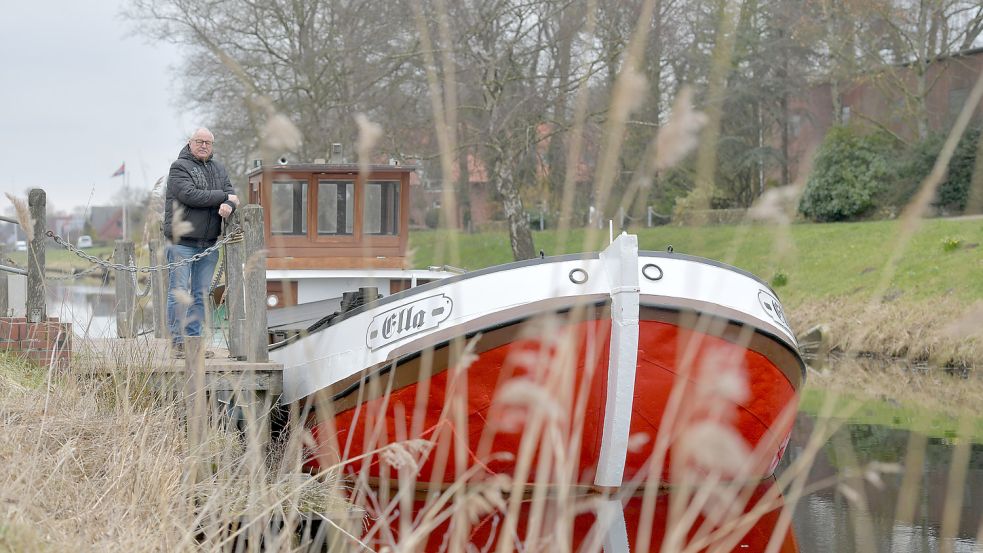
point(516, 65)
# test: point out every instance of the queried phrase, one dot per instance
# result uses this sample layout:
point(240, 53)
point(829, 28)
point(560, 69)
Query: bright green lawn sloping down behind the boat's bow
point(820, 260)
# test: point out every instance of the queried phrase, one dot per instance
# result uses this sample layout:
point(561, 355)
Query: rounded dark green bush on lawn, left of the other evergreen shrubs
point(851, 174)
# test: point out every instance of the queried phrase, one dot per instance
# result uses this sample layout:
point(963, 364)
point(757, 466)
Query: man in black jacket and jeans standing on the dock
point(198, 193)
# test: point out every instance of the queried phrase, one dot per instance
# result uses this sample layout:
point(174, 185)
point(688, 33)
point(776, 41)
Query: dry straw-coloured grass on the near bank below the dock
point(94, 459)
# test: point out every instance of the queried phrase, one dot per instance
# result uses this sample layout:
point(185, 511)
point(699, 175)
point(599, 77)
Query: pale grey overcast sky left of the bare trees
point(79, 95)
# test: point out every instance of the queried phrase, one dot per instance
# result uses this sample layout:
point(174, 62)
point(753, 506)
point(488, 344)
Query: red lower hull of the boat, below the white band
point(531, 387)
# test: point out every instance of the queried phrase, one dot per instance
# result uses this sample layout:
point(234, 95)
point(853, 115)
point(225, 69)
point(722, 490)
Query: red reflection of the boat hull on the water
point(580, 528)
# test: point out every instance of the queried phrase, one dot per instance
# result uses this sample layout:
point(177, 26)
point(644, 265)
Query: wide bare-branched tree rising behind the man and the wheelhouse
point(316, 62)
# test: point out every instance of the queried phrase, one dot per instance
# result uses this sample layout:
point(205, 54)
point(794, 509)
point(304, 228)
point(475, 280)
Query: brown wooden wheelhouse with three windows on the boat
point(330, 229)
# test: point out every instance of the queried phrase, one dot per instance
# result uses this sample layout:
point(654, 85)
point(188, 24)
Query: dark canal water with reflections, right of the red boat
point(827, 521)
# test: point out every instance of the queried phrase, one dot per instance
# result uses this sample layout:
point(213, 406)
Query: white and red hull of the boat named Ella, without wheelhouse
point(644, 363)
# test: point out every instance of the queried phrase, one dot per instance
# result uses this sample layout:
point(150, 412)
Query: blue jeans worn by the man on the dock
point(194, 280)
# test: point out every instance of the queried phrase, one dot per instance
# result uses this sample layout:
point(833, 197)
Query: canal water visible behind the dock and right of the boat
point(827, 520)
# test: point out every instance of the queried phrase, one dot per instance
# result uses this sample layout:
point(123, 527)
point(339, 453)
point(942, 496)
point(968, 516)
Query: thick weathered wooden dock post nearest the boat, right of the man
point(254, 282)
